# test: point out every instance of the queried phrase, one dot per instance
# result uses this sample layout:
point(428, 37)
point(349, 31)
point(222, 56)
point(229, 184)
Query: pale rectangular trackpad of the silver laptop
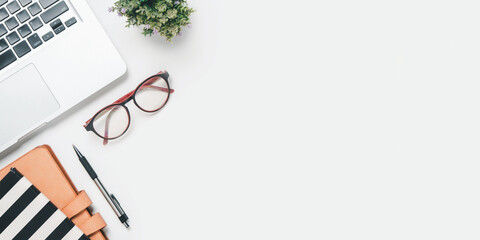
point(25, 101)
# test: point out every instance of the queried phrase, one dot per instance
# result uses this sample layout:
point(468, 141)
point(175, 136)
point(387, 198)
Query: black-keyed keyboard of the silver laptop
point(19, 21)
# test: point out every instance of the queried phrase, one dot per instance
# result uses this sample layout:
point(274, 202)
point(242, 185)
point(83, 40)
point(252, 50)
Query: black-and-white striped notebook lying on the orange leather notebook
point(25, 213)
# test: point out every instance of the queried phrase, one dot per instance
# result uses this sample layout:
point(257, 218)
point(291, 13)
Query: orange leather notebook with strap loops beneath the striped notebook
point(41, 167)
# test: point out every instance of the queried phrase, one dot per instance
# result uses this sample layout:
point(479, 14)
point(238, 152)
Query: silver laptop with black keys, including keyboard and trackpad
point(53, 54)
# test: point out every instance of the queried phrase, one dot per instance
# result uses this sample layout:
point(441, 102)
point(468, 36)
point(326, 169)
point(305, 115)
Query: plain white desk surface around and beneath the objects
point(293, 120)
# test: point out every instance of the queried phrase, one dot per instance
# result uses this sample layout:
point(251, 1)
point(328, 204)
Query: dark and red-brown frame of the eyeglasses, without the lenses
point(121, 102)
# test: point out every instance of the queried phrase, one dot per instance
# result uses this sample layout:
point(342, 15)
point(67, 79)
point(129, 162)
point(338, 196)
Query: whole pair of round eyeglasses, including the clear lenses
point(113, 121)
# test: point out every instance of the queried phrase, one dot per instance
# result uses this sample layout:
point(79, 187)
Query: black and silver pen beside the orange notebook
point(109, 197)
